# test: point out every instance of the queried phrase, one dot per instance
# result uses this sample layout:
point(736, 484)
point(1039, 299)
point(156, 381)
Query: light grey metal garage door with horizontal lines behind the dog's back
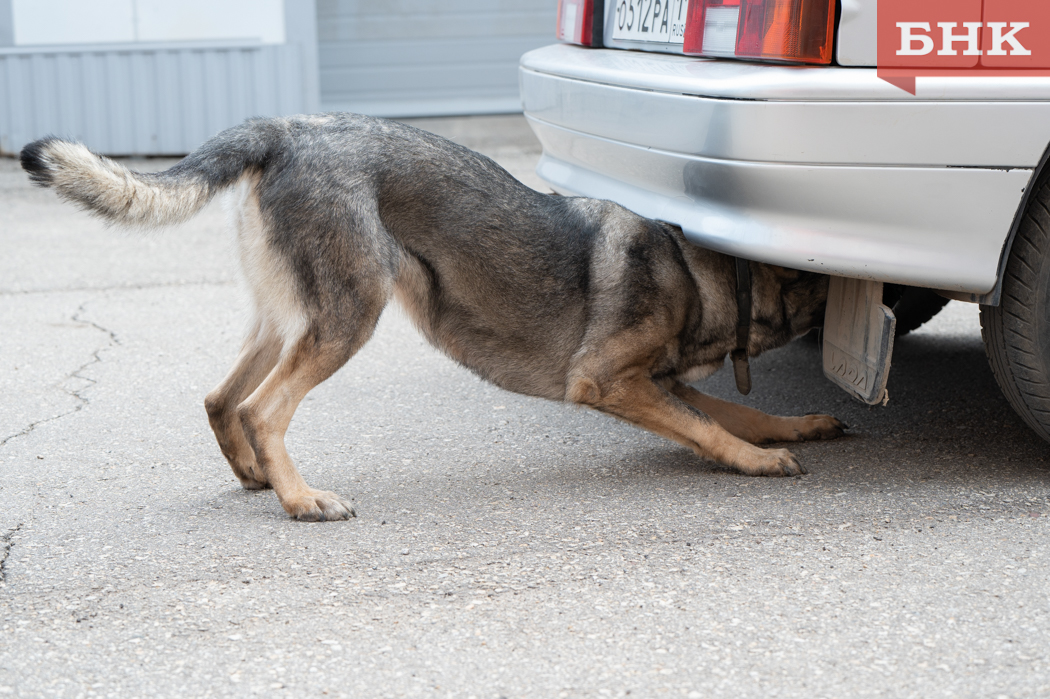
point(414, 58)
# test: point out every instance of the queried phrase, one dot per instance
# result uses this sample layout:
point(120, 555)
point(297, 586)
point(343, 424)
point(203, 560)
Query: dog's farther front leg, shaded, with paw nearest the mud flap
point(757, 427)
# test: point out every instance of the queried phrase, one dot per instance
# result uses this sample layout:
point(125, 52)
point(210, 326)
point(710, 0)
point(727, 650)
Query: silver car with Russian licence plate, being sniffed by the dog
point(789, 150)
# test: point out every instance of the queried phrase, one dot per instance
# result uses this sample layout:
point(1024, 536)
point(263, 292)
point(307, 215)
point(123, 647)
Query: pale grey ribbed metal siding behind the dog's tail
point(148, 99)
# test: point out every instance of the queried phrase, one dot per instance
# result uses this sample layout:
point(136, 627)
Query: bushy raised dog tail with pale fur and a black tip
point(116, 194)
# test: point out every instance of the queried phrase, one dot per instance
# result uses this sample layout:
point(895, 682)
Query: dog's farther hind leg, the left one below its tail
point(259, 356)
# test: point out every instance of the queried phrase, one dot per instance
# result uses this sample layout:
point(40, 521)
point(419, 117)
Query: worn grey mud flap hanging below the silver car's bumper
point(858, 340)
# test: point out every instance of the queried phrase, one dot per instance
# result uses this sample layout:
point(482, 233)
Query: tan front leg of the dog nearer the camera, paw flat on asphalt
point(636, 398)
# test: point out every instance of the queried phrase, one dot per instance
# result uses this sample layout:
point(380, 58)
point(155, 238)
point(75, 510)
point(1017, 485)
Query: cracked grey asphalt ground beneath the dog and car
point(506, 547)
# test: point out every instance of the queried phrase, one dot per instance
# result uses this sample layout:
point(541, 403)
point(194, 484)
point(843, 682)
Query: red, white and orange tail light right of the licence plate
point(799, 31)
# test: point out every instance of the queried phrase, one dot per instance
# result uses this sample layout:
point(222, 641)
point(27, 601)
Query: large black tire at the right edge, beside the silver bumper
point(1017, 333)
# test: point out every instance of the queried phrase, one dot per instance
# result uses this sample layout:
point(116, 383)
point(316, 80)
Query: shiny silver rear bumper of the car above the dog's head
point(824, 170)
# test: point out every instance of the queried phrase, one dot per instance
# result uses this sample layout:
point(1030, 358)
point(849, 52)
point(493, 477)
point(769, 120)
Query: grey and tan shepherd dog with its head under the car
point(565, 299)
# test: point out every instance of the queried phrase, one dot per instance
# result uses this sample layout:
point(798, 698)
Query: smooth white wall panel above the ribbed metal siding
point(114, 22)
